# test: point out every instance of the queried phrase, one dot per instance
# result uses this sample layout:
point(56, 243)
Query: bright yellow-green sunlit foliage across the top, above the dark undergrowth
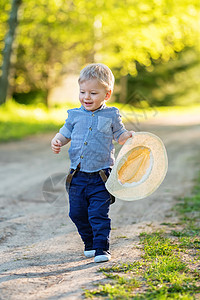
point(58, 36)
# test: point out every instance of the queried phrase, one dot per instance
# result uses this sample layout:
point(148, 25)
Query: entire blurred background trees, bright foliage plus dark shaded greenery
point(151, 46)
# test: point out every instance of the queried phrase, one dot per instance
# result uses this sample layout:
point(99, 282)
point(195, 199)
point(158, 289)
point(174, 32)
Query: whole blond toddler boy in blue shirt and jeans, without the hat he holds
point(91, 129)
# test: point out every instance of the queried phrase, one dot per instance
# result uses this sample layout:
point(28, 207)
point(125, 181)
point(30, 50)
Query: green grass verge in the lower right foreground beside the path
point(168, 268)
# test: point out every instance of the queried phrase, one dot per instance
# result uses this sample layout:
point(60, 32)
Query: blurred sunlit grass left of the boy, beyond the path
point(18, 120)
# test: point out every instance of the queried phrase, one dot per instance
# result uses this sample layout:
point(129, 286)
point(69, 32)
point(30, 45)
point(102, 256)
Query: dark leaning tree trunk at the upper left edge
point(8, 50)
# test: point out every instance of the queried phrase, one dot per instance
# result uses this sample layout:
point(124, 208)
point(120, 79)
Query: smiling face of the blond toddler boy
point(92, 94)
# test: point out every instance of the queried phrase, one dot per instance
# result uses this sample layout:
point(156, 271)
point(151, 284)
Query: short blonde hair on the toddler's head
point(99, 71)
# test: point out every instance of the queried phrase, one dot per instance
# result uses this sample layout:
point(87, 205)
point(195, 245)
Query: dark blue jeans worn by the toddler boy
point(89, 207)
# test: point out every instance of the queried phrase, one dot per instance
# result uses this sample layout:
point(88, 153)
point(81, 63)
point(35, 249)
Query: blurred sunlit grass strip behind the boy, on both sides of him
point(18, 120)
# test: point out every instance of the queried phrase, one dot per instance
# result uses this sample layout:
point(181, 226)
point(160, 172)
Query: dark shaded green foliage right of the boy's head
point(174, 83)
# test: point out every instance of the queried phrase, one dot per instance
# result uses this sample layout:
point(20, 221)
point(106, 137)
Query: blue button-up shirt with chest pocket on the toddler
point(91, 135)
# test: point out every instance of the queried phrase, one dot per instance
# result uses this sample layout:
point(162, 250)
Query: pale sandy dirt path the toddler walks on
point(41, 253)
